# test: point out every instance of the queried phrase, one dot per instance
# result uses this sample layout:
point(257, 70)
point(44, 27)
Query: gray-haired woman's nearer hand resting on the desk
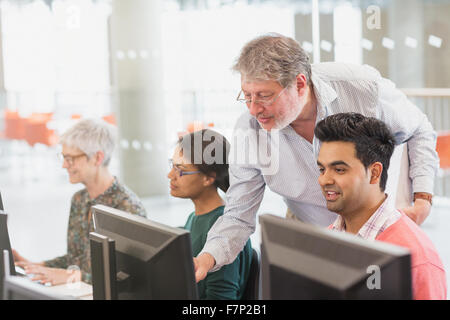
point(54, 276)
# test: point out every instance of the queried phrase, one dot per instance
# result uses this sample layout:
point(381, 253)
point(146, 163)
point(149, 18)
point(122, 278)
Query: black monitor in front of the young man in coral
point(301, 261)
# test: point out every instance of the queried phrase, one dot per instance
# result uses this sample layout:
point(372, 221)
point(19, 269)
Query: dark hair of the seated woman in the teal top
point(208, 150)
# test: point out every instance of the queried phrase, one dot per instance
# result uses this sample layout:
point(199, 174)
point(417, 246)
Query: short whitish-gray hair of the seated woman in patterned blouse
point(91, 136)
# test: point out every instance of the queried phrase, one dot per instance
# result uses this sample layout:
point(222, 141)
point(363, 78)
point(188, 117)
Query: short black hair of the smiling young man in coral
point(373, 140)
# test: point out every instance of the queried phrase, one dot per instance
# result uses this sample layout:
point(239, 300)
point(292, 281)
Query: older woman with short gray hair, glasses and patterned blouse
point(87, 149)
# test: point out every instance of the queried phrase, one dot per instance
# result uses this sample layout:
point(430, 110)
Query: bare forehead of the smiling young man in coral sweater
point(337, 151)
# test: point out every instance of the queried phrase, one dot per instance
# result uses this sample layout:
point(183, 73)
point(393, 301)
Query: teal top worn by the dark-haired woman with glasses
point(229, 282)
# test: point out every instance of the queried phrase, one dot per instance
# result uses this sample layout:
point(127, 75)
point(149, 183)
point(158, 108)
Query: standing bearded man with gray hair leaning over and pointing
point(286, 96)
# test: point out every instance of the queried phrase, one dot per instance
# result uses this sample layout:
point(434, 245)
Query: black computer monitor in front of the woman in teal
point(136, 258)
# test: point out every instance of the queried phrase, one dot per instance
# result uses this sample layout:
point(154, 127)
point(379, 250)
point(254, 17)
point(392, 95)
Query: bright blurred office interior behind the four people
point(157, 68)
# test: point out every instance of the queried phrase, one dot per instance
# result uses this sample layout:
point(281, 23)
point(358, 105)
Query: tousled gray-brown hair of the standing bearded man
point(273, 57)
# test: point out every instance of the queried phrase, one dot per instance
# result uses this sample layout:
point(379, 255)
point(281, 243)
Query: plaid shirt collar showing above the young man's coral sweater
point(385, 216)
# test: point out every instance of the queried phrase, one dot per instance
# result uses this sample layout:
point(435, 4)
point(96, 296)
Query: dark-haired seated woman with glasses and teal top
point(198, 168)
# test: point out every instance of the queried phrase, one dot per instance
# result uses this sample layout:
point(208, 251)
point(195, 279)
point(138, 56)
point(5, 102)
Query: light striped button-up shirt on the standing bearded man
point(338, 88)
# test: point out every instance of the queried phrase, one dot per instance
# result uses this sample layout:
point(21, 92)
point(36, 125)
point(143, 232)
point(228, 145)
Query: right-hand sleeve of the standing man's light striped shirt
point(409, 124)
